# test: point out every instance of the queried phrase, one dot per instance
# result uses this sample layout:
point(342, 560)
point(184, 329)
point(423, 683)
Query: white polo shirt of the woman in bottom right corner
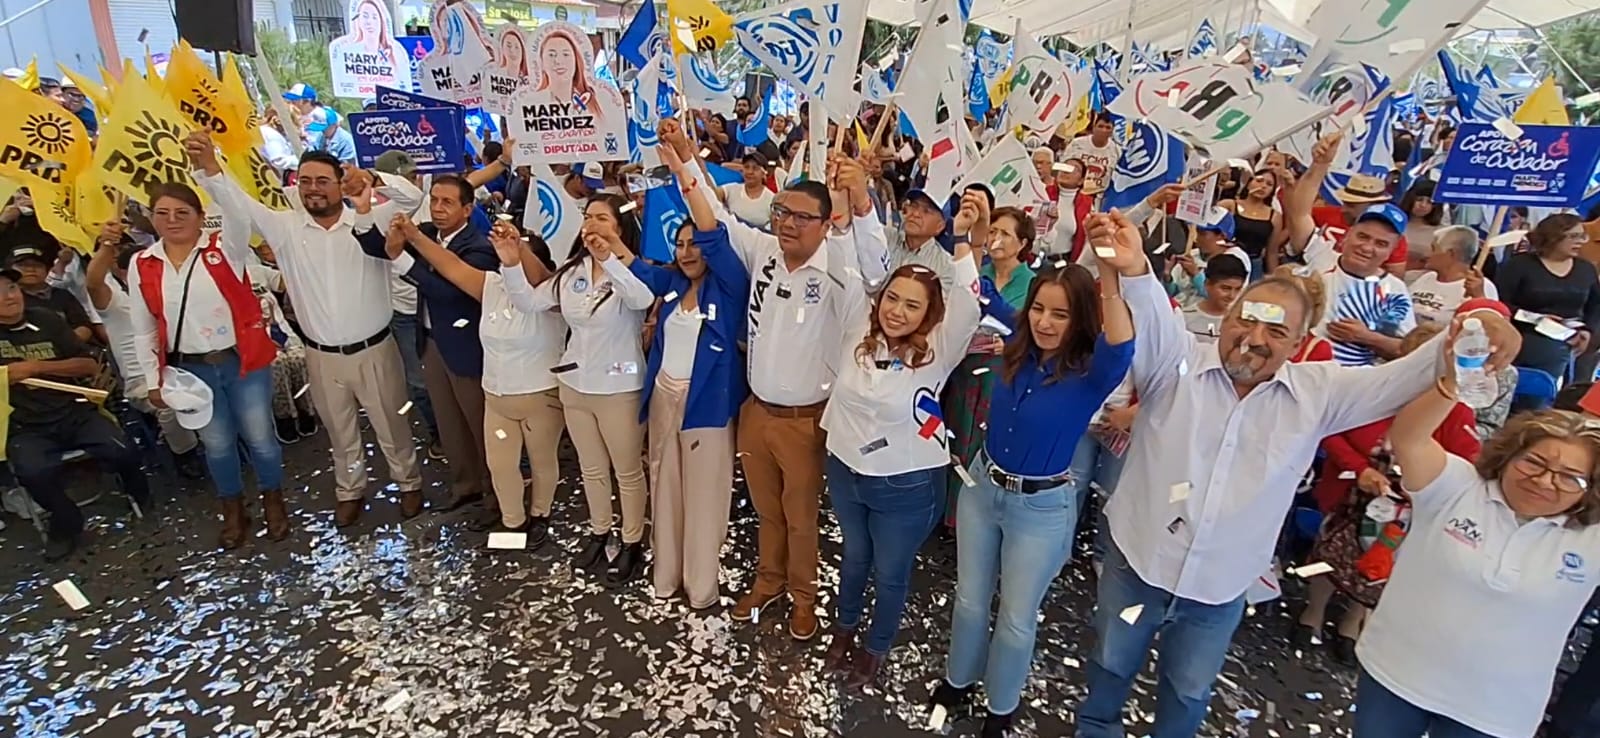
point(1476, 616)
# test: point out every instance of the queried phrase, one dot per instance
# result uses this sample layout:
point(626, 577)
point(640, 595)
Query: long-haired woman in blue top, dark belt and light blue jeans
point(1014, 527)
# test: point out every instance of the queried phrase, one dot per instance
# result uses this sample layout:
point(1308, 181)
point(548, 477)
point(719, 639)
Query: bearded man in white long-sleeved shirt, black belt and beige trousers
point(340, 289)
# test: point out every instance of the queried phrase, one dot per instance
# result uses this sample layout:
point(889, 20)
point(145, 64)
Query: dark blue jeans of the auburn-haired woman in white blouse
point(884, 519)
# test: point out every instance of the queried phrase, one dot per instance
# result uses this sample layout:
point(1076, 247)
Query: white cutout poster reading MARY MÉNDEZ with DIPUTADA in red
point(566, 114)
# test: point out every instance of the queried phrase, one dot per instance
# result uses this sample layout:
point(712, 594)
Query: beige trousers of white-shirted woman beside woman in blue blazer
point(610, 438)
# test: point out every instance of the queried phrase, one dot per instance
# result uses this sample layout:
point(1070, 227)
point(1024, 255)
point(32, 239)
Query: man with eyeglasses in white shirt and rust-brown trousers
point(807, 279)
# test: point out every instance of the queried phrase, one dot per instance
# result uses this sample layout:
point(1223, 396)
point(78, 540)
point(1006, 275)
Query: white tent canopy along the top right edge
point(1167, 22)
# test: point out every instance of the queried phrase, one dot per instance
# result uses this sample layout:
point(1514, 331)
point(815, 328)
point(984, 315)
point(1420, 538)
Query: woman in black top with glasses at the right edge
point(1558, 300)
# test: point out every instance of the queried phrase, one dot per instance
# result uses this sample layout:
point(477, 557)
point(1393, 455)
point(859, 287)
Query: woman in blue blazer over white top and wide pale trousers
point(694, 388)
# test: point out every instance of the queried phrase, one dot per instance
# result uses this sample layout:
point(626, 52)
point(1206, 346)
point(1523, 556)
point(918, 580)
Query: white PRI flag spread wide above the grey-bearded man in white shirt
point(1218, 108)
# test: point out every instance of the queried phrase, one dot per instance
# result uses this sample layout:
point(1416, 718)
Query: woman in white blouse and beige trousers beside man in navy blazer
point(521, 403)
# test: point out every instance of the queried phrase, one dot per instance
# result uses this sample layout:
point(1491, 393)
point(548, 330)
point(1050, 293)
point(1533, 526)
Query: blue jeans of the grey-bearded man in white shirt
point(1194, 646)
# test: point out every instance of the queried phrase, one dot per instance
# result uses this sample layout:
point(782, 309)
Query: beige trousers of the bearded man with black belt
point(374, 380)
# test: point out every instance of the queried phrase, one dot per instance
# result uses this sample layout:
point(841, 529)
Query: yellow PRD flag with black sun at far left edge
point(47, 145)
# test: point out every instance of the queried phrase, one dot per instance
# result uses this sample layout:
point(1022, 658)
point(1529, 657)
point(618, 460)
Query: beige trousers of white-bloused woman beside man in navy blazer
point(513, 423)
